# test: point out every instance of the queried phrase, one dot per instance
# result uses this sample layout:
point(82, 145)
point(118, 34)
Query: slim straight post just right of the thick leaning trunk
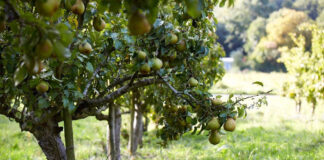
point(68, 133)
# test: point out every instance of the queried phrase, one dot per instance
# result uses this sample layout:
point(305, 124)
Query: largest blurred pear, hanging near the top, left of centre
point(138, 24)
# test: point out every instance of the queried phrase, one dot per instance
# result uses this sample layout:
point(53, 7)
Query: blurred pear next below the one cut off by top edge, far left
point(44, 49)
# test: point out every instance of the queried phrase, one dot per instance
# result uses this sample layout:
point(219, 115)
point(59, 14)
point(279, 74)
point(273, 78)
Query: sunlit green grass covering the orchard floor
point(275, 131)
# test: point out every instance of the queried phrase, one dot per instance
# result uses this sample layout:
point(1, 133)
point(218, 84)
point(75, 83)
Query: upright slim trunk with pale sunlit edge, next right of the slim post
point(114, 125)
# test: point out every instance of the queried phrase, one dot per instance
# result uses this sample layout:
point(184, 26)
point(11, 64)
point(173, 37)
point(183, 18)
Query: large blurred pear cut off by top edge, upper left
point(47, 7)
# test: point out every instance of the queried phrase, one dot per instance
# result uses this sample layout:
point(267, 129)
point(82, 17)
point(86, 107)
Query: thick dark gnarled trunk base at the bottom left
point(48, 137)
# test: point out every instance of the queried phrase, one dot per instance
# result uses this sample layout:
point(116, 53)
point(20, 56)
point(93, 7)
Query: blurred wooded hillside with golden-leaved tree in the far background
point(253, 31)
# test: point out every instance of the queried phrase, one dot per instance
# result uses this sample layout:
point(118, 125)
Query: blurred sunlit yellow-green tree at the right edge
point(306, 66)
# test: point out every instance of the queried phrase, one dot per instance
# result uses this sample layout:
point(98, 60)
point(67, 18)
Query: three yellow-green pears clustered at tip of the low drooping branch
point(214, 126)
